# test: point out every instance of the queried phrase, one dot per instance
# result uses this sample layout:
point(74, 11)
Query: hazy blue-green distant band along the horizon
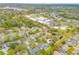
point(20, 5)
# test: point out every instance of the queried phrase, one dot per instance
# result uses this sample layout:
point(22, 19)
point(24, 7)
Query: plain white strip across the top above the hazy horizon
point(39, 1)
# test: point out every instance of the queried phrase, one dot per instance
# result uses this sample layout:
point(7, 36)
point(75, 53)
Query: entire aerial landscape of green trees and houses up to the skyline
point(37, 29)
